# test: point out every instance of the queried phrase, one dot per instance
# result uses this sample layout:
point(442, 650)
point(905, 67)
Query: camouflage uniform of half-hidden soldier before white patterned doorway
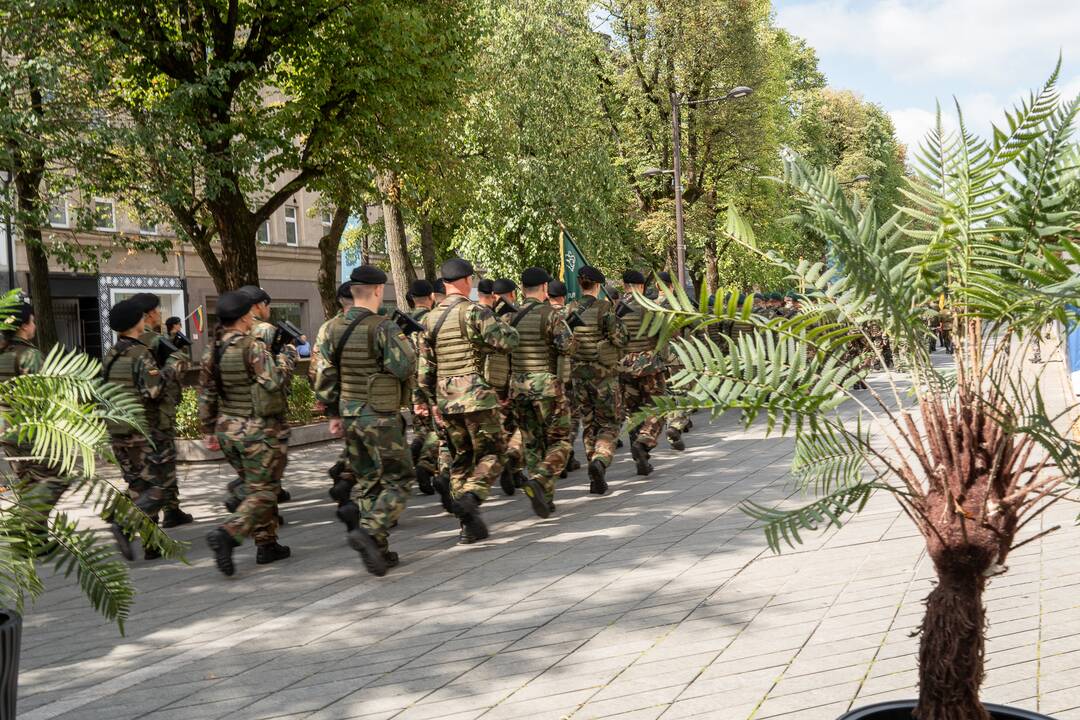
point(163, 426)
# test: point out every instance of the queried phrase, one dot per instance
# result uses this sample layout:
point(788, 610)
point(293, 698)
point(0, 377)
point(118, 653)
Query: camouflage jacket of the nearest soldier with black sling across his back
point(394, 351)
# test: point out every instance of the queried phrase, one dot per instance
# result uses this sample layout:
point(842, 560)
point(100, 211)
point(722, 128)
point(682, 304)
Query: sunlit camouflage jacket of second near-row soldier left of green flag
point(467, 393)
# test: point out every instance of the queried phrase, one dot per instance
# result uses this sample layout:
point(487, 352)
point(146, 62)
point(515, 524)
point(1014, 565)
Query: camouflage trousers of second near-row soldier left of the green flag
point(477, 445)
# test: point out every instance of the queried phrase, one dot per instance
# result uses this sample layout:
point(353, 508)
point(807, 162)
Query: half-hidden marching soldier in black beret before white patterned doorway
point(163, 426)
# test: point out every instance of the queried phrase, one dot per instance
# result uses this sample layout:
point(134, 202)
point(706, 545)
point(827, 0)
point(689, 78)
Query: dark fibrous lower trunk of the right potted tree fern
point(952, 647)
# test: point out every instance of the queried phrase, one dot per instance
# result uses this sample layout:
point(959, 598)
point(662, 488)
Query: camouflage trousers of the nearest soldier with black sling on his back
point(381, 460)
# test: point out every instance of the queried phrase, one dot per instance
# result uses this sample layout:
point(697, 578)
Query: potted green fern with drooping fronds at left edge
point(58, 417)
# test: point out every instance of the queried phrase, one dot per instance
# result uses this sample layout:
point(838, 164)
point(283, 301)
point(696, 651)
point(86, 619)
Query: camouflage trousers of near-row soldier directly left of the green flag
point(543, 417)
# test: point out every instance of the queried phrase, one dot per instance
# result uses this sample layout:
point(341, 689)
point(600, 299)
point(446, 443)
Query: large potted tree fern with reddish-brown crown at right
point(969, 450)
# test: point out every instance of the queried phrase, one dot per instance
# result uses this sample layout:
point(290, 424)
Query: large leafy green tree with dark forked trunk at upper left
point(237, 106)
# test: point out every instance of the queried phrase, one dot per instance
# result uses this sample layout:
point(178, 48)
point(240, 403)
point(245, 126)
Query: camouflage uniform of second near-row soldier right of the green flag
point(642, 372)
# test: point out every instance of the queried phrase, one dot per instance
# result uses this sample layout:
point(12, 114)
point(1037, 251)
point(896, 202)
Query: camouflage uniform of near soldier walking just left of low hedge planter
point(245, 416)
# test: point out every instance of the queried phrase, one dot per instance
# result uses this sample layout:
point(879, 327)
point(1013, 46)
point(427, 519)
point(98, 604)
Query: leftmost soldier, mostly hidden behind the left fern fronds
point(20, 357)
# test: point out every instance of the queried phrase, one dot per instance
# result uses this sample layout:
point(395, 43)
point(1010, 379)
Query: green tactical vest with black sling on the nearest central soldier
point(360, 372)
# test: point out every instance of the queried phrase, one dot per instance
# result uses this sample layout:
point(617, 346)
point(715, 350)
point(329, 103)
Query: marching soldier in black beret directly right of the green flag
point(596, 378)
